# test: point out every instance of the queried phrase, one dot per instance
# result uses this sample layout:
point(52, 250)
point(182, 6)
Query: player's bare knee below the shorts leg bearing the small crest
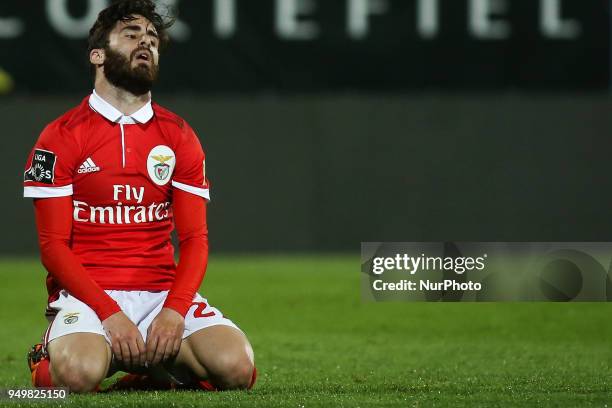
point(78, 373)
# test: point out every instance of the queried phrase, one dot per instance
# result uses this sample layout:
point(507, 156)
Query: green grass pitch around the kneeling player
point(317, 344)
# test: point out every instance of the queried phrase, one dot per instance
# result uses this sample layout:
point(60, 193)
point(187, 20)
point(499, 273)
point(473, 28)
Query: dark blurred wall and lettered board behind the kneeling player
point(328, 123)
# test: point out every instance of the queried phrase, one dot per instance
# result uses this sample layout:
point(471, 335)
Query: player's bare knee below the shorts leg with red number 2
point(233, 372)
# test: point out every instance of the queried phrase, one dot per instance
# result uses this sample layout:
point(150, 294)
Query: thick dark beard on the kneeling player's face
point(119, 72)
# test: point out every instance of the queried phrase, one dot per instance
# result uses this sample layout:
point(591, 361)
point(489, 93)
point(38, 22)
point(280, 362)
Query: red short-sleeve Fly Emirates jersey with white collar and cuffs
point(120, 171)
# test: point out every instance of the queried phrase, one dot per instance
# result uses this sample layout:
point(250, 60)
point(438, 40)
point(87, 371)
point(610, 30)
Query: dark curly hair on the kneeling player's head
point(124, 10)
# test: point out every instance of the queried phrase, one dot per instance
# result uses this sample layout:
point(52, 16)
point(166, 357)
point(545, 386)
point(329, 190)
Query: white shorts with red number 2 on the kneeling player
point(141, 307)
